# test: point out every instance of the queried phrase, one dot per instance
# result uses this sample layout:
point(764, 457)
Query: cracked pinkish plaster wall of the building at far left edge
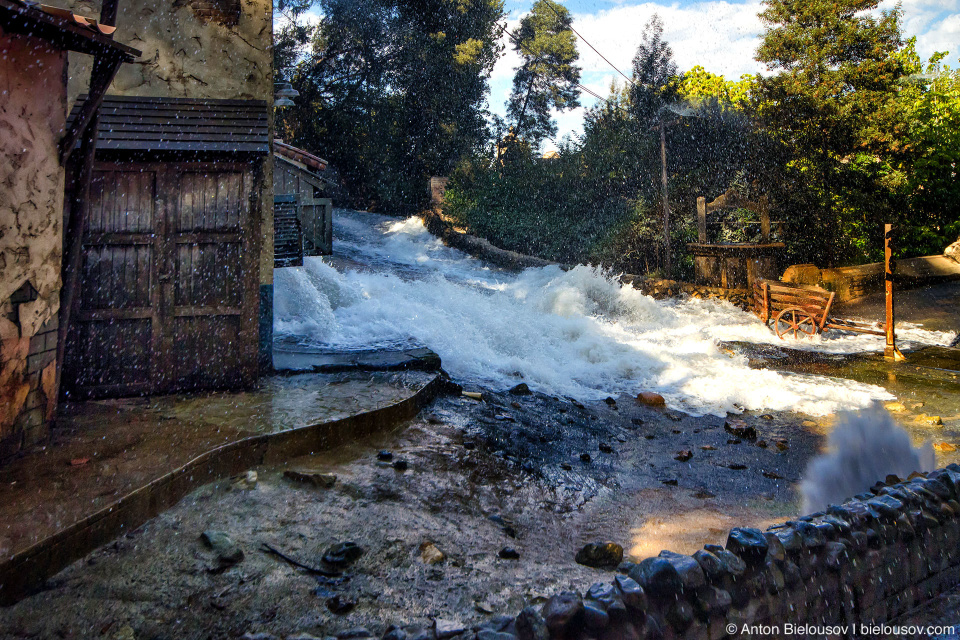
point(31, 210)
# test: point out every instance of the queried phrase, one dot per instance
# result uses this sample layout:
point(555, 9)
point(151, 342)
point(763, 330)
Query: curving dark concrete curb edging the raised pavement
point(25, 572)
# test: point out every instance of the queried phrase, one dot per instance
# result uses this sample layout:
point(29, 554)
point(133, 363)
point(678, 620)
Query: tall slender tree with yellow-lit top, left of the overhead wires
point(548, 78)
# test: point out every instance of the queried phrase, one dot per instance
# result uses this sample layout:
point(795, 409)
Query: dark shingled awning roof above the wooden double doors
point(129, 123)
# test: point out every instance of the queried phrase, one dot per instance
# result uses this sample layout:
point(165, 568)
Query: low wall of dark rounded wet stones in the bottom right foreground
point(834, 574)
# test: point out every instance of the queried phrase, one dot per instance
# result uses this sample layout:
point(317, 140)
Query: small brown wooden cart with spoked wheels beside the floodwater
point(801, 311)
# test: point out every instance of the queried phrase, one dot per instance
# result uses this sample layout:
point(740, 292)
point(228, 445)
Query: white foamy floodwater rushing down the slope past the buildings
point(578, 333)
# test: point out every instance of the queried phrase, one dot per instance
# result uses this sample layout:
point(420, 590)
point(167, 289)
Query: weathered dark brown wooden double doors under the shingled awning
point(169, 292)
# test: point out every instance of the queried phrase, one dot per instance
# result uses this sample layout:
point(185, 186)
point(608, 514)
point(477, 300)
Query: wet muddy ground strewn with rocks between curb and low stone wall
point(539, 475)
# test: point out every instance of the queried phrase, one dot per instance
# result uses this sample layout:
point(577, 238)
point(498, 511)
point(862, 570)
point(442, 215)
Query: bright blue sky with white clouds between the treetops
point(720, 35)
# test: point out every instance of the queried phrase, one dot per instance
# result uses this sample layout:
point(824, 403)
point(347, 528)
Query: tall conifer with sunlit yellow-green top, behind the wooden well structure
point(838, 66)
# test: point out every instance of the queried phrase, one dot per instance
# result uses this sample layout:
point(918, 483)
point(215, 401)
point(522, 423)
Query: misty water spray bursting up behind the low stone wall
point(865, 447)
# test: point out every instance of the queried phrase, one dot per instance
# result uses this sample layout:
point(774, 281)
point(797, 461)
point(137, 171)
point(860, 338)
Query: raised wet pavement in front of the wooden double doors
point(102, 450)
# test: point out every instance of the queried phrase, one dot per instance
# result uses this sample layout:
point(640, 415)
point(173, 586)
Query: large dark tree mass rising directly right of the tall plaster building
point(392, 91)
